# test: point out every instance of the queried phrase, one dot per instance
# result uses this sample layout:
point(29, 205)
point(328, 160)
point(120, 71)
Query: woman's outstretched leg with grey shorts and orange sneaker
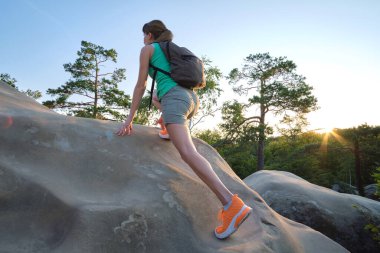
point(234, 211)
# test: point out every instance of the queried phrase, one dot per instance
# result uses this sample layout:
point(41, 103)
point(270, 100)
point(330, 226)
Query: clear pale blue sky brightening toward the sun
point(334, 43)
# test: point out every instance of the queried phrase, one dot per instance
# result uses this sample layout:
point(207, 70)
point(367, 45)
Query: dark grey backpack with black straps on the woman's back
point(186, 69)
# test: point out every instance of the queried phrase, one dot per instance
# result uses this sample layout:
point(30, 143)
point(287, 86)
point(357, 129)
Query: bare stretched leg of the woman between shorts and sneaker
point(180, 136)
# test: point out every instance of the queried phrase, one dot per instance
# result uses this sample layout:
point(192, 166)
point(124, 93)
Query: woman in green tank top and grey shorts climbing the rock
point(179, 104)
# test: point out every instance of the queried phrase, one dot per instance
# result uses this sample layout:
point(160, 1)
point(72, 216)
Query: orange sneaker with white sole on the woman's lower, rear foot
point(232, 218)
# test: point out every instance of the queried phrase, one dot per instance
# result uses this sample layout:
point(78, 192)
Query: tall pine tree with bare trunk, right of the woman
point(273, 87)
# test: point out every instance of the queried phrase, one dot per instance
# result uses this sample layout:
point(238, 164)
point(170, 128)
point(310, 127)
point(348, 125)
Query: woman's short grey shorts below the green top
point(178, 105)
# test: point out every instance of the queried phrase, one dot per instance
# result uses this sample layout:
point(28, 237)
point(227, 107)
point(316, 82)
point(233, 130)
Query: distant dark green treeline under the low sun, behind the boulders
point(347, 157)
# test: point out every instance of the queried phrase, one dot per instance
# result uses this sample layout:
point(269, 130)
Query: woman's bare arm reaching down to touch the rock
point(145, 55)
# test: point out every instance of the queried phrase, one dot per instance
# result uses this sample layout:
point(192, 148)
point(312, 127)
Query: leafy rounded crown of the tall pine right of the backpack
point(279, 88)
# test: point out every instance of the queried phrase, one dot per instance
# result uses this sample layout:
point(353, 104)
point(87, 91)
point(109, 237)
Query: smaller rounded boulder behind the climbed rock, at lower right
point(342, 217)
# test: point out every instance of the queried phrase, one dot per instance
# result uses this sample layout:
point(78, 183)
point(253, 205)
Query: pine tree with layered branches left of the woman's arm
point(99, 92)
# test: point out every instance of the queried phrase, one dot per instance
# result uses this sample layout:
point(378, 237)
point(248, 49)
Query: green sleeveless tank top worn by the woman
point(163, 81)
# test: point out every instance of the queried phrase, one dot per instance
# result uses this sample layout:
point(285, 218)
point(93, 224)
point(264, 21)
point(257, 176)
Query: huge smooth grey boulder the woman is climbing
point(71, 185)
